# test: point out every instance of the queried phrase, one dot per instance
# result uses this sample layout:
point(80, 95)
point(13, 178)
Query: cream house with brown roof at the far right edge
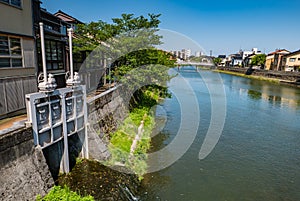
point(291, 61)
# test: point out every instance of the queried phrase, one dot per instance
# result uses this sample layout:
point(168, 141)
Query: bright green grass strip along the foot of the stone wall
point(122, 139)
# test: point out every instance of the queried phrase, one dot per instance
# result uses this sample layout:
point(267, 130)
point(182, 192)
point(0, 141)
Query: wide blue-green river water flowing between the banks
point(257, 156)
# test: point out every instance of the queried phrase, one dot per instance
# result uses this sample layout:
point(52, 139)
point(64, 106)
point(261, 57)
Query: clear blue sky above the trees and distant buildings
point(223, 26)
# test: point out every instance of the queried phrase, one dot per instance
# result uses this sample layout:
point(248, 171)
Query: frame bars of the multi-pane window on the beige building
point(10, 56)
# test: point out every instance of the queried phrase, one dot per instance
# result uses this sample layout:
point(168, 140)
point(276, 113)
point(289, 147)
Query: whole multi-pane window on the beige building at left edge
point(10, 52)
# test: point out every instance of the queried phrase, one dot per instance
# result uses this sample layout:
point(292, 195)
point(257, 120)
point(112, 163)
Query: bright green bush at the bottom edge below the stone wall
point(59, 193)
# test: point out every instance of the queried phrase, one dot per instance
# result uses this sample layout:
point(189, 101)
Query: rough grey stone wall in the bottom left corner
point(24, 172)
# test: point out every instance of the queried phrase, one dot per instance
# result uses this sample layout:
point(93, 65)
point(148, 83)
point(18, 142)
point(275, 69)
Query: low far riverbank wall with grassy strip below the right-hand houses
point(289, 78)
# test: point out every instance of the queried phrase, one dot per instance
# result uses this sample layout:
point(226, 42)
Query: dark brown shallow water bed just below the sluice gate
point(90, 177)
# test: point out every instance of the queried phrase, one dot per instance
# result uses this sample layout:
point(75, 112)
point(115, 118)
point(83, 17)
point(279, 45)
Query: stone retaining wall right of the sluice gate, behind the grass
point(106, 113)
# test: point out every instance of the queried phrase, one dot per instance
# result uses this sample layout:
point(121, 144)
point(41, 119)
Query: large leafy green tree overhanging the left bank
point(127, 43)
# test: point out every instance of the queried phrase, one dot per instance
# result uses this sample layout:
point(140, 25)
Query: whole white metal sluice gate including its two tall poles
point(56, 114)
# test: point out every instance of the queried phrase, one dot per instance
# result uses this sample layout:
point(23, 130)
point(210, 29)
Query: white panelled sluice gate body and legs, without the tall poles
point(55, 116)
